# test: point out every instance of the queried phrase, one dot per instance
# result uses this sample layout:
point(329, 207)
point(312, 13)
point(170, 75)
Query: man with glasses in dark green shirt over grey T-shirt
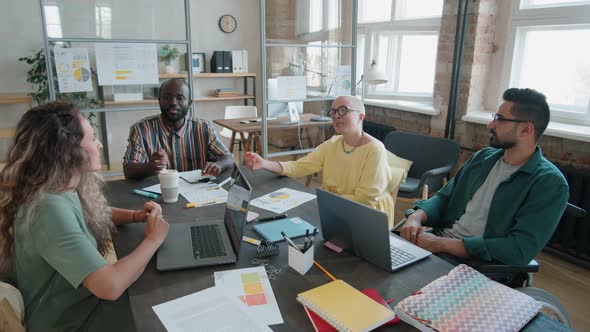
point(505, 201)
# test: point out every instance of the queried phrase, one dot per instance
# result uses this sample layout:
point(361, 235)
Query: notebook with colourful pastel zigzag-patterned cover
point(466, 300)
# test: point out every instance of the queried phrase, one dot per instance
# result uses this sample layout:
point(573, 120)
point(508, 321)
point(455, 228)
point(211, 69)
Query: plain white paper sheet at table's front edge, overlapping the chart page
point(211, 309)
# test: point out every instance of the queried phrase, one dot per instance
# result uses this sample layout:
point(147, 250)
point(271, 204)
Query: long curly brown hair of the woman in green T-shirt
point(47, 157)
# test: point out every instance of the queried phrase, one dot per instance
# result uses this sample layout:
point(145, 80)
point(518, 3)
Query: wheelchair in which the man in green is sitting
point(519, 277)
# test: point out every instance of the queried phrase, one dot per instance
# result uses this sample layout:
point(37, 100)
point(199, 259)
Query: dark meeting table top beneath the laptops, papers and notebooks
point(155, 287)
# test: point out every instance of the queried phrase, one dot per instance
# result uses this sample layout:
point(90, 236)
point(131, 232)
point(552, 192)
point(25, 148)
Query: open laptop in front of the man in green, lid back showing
point(364, 231)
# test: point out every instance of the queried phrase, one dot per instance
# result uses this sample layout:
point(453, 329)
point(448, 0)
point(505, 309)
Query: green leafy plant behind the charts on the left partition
point(37, 76)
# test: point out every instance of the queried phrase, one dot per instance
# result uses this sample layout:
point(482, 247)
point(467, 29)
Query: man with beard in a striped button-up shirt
point(173, 140)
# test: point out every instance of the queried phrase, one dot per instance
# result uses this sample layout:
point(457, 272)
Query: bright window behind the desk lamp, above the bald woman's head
point(402, 37)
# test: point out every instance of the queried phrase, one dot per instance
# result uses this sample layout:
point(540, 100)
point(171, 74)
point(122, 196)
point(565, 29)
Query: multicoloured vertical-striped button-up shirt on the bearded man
point(188, 148)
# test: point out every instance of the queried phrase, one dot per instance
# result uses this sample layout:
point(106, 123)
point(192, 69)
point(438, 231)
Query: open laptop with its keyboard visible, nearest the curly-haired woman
point(211, 242)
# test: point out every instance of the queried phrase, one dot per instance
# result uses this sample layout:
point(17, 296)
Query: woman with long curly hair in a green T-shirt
point(55, 226)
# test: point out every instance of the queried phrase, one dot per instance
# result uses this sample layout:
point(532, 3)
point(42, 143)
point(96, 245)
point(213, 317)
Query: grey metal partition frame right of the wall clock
point(263, 52)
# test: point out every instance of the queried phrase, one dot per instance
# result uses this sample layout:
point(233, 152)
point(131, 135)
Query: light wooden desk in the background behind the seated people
point(254, 129)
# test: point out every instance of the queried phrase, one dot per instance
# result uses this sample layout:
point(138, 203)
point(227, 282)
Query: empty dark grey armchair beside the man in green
point(433, 158)
